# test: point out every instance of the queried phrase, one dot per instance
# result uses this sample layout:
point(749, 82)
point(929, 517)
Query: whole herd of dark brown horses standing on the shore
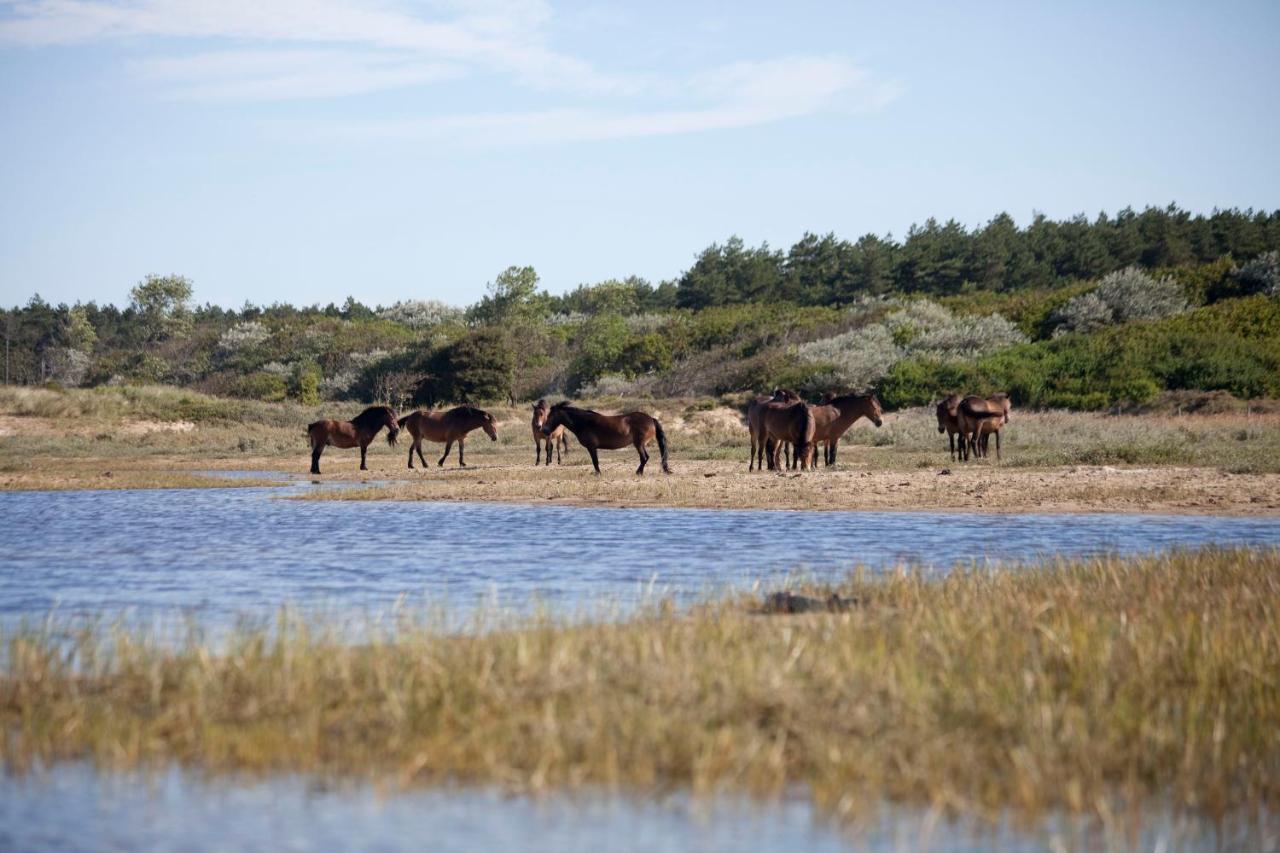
point(781, 423)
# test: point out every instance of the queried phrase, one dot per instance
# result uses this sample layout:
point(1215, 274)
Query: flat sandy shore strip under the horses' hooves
point(496, 475)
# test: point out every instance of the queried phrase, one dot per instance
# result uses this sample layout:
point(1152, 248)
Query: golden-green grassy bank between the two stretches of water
point(1084, 687)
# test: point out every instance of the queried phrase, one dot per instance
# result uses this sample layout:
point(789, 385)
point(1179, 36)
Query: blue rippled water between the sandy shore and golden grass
point(226, 553)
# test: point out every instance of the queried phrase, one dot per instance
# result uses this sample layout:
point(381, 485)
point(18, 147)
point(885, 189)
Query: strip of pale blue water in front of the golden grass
point(76, 809)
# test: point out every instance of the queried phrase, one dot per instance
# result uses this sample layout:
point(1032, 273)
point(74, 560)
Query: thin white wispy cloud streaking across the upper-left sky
point(312, 49)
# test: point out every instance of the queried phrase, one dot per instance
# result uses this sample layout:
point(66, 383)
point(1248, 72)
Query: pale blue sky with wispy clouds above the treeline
point(307, 150)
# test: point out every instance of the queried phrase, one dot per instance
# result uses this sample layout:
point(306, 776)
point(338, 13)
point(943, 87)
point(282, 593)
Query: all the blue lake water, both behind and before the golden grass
point(226, 554)
